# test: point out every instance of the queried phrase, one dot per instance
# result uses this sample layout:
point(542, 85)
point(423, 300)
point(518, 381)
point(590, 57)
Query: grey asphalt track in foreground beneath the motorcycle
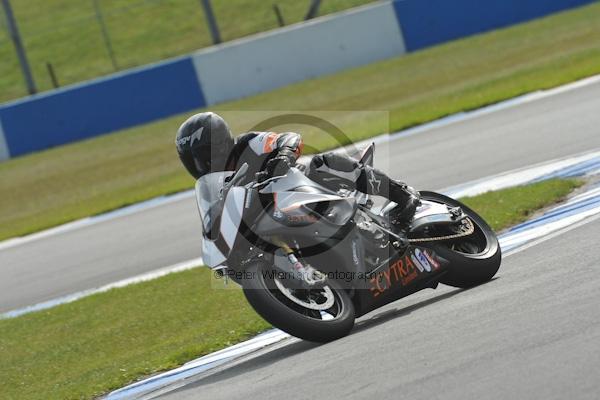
point(531, 333)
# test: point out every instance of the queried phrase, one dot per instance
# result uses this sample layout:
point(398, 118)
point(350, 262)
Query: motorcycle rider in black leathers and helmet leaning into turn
point(205, 144)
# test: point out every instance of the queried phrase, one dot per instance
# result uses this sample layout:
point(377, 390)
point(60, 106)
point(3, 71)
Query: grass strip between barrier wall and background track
point(93, 176)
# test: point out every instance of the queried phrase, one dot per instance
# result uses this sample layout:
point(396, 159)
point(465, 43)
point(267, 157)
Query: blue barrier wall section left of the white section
point(101, 106)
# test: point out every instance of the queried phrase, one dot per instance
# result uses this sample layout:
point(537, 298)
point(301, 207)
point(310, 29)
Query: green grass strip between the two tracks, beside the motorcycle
point(103, 342)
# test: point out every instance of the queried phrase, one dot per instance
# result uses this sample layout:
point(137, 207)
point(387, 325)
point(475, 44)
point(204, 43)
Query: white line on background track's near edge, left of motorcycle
point(182, 266)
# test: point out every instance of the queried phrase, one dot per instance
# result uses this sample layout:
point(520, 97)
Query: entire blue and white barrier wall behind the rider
point(252, 65)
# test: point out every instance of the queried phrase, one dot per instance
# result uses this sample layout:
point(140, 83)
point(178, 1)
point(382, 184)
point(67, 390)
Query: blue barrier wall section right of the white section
point(428, 22)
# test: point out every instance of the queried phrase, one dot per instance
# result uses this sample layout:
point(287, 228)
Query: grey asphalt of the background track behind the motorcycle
point(89, 257)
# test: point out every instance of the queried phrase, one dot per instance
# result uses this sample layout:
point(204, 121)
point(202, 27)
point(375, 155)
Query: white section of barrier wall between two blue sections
point(296, 53)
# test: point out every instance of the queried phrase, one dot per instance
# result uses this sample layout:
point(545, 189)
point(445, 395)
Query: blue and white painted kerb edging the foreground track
point(510, 242)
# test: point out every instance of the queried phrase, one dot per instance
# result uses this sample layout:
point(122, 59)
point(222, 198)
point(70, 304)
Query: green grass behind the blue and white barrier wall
point(67, 34)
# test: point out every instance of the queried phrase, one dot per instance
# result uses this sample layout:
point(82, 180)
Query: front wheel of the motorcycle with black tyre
point(318, 315)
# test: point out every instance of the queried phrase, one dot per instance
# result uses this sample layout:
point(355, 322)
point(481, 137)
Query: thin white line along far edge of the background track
point(162, 200)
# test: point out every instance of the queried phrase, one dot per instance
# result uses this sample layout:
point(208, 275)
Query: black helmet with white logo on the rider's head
point(204, 143)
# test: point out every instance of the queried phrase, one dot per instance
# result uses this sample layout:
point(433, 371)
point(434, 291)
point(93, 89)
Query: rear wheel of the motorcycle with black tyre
point(474, 259)
